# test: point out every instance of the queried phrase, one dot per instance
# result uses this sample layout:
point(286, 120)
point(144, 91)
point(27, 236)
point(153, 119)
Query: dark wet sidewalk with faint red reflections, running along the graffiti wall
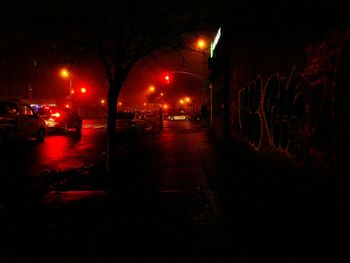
point(179, 196)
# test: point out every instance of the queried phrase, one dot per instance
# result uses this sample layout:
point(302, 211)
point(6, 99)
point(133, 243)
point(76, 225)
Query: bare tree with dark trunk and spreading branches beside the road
point(119, 33)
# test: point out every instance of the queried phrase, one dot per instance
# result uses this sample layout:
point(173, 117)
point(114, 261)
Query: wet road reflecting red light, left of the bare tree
point(22, 161)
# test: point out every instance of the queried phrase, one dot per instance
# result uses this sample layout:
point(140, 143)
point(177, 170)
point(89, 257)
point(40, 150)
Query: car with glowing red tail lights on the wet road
point(60, 119)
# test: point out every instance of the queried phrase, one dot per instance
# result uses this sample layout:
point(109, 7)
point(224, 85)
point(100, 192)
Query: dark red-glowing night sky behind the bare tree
point(26, 63)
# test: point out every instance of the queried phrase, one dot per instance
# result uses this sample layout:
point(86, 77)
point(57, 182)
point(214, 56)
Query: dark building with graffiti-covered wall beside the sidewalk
point(280, 84)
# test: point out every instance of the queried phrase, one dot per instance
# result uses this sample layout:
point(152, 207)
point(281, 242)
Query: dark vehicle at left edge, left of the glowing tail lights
point(19, 120)
